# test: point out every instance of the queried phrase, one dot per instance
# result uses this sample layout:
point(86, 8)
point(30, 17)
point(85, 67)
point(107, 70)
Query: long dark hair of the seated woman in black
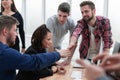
point(38, 36)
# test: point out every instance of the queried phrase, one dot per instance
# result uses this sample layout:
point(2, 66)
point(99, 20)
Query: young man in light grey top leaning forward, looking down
point(60, 24)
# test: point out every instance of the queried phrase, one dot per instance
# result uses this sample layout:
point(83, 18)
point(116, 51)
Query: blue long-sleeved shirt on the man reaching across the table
point(11, 59)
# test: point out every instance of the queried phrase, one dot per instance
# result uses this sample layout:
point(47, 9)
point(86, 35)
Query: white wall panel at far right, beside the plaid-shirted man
point(114, 15)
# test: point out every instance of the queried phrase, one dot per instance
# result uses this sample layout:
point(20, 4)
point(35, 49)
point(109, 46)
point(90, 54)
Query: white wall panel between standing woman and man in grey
point(34, 16)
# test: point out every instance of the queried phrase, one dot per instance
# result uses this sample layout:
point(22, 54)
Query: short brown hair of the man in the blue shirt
point(7, 21)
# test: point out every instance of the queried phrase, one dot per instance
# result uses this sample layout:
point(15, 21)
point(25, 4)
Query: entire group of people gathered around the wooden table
point(39, 60)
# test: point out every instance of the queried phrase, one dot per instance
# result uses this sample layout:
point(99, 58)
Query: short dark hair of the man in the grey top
point(64, 7)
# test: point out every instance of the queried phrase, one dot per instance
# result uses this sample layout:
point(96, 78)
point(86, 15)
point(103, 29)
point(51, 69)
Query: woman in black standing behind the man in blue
point(8, 8)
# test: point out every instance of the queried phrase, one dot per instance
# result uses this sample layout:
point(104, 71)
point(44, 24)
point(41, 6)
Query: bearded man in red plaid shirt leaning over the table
point(94, 30)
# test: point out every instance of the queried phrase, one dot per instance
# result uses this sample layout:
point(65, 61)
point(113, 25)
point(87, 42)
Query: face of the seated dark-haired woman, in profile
point(47, 41)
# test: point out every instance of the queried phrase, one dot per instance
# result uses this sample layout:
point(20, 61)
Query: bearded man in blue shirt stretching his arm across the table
point(11, 59)
